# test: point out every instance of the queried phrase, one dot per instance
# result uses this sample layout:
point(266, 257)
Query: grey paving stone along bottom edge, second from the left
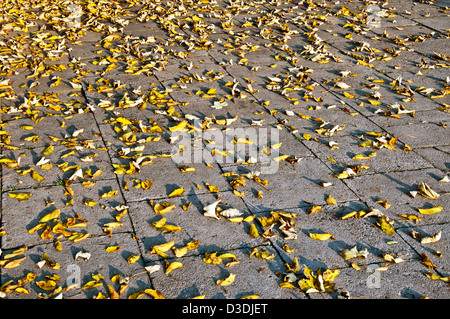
point(253, 276)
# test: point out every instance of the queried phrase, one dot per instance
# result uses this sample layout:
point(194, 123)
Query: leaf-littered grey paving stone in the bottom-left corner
point(73, 271)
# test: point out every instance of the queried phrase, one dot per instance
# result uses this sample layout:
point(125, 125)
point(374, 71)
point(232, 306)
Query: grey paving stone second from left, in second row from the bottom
point(223, 234)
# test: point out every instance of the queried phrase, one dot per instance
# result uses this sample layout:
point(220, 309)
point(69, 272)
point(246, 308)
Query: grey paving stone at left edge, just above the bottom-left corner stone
point(20, 217)
